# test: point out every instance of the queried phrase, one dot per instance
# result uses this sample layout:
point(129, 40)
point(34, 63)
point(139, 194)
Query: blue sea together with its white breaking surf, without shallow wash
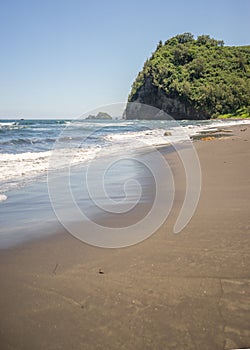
point(26, 145)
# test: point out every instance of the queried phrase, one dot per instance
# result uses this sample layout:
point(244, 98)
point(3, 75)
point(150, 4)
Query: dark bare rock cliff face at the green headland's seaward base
point(151, 95)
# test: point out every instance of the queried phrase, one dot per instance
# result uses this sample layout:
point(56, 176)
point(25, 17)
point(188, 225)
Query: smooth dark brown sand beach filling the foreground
point(172, 291)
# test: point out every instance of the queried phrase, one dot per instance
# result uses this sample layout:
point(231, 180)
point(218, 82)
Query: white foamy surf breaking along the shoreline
point(18, 167)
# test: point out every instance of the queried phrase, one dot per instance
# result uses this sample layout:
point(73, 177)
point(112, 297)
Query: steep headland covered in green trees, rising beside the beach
point(194, 79)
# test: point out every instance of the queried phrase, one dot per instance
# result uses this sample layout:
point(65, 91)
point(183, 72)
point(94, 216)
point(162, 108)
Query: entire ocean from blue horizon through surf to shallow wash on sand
point(27, 154)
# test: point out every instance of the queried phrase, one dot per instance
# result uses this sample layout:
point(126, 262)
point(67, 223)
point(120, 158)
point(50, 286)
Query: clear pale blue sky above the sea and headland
point(62, 58)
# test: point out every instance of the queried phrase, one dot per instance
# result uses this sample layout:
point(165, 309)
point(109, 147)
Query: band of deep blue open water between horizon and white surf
point(21, 136)
